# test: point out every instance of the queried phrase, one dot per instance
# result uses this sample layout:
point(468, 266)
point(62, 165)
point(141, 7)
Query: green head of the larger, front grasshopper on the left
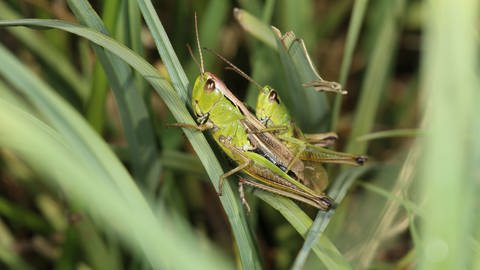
point(206, 93)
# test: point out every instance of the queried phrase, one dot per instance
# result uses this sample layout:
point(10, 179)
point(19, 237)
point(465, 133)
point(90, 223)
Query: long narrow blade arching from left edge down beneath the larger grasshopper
point(229, 200)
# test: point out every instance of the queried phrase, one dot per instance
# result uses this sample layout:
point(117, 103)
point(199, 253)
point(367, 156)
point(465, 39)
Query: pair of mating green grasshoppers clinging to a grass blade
point(267, 147)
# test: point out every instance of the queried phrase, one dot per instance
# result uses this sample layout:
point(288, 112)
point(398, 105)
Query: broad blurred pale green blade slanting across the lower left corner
point(31, 139)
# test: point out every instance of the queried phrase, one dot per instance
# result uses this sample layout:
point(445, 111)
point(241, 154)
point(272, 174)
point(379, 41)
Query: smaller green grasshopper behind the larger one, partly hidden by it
point(273, 113)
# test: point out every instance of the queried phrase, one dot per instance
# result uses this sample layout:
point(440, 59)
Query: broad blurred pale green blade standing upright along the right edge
point(449, 172)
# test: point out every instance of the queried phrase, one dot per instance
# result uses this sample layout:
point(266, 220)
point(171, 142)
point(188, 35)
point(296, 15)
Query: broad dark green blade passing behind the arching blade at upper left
point(133, 111)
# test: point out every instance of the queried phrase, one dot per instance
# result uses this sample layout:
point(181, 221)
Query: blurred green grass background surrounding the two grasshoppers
point(91, 177)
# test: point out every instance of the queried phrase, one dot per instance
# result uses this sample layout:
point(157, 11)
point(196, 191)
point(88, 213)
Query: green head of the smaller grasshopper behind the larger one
point(269, 107)
